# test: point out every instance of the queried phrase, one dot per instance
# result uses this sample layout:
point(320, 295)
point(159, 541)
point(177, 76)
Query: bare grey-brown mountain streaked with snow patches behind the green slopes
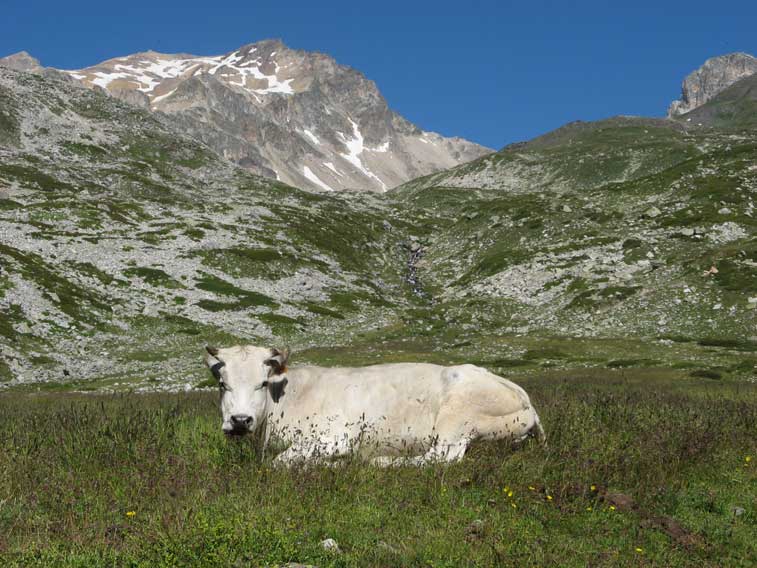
point(290, 115)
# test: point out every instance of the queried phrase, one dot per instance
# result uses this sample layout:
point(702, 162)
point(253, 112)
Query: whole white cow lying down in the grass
point(408, 412)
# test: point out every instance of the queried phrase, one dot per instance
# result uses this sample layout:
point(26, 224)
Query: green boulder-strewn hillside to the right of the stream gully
point(623, 226)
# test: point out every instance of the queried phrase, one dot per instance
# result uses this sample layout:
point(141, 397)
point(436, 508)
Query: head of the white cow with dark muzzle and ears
point(250, 379)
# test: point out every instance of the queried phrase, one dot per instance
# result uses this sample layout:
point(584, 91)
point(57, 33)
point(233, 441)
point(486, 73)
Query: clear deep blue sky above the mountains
point(492, 72)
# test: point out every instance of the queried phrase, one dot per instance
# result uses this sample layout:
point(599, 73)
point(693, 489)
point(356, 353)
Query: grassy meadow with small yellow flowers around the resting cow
point(644, 467)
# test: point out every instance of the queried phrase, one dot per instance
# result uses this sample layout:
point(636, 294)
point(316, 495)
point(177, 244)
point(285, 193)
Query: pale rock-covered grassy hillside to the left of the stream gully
point(127, 245)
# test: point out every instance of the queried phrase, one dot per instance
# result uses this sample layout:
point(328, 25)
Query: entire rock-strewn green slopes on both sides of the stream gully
point(127, 245)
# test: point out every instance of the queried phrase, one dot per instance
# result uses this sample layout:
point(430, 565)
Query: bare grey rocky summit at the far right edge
point(716, 75)
